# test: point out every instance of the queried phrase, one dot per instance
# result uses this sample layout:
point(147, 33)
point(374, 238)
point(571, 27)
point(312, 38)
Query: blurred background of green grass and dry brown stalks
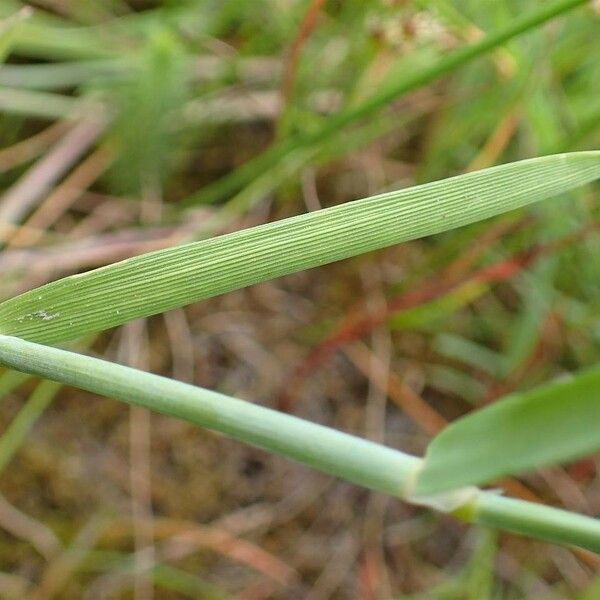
point(131, 126)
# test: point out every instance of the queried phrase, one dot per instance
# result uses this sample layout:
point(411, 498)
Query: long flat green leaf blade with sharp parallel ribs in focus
point(167, 279)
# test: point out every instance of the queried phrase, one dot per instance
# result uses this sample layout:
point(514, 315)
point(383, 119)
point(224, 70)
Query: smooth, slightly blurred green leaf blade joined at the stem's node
point(544, 426)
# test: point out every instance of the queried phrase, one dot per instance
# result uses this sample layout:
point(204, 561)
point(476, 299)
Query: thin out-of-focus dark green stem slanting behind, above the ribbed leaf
point(390, 91)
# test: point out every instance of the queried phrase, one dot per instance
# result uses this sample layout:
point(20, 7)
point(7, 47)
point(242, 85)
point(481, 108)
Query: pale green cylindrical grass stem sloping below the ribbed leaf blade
point(357, 460)
